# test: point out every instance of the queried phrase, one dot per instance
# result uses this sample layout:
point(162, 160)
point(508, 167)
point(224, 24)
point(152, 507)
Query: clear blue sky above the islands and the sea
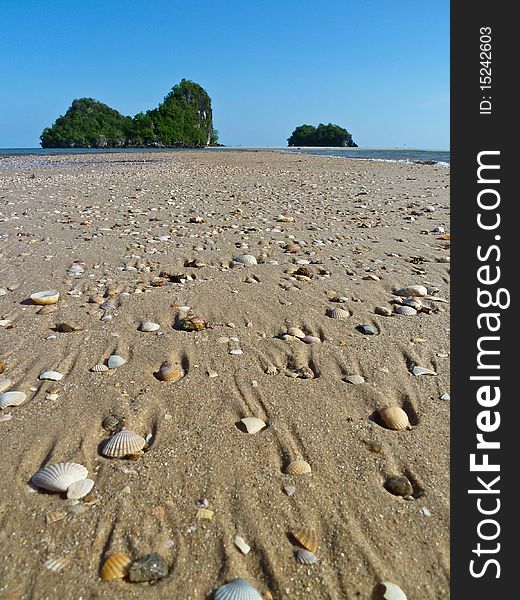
point(379, 68)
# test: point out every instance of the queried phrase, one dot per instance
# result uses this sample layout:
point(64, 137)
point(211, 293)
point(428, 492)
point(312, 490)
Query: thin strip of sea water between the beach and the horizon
point(11, 156)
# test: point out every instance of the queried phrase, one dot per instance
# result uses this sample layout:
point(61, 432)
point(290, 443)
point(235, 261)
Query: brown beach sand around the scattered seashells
point(367, 229)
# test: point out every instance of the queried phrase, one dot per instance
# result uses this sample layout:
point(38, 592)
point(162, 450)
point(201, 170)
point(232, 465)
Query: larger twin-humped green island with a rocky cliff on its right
point(183, 120)
